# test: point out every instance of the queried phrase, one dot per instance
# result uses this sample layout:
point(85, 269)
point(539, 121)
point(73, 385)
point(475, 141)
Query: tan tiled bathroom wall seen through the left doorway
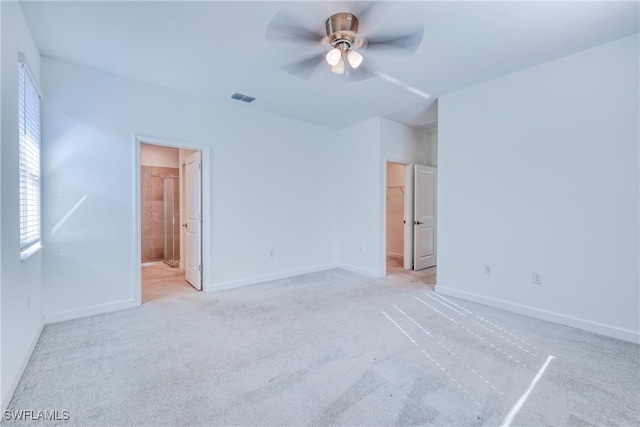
point(153, 211)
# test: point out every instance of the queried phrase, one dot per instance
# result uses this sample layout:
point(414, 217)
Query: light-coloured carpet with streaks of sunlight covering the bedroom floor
point(329, 348)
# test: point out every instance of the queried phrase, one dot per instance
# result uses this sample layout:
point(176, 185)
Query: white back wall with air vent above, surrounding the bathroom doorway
point(269, 186)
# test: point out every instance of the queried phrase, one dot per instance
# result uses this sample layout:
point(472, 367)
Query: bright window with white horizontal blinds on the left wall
point(29, 148)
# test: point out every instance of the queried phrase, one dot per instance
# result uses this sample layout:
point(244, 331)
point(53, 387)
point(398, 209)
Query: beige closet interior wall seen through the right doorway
point(395, 209)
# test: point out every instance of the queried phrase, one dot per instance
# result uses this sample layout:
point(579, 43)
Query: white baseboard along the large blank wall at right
point(575, 322)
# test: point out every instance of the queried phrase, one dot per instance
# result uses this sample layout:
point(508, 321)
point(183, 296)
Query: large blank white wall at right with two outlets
point(539, 172)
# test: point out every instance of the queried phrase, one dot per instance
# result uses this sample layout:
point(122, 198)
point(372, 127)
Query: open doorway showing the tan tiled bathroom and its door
point(170, 220)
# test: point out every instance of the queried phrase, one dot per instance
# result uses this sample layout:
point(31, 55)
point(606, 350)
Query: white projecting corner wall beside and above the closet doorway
point(362, 156)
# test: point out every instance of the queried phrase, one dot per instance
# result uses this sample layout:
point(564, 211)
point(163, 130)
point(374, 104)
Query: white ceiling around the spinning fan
point(215, 48)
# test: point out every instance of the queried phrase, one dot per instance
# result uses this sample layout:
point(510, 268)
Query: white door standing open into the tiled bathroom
point(193, 247)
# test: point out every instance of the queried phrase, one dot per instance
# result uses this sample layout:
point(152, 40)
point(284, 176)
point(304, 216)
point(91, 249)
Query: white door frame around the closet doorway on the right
point(408, 214)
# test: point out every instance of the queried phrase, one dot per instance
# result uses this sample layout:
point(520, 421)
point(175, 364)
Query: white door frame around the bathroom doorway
point(206, 209)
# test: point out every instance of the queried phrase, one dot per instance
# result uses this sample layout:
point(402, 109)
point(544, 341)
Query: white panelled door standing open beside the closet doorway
point(424, 242)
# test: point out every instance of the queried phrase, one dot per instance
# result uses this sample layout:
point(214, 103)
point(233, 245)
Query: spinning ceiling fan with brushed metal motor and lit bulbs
point(342, 47)
